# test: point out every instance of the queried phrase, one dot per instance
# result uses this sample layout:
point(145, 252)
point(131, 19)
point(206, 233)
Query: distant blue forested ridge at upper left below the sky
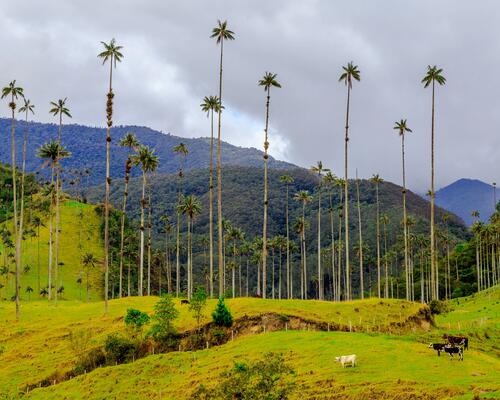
point(87, 147)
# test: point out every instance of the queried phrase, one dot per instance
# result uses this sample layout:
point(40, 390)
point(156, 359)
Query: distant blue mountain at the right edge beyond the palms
point(464, 196)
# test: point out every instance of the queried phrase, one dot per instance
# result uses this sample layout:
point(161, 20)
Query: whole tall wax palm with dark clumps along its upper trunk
point(112, 53)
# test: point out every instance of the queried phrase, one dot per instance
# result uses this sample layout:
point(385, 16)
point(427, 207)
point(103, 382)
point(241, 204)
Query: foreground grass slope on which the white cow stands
point(389, 368)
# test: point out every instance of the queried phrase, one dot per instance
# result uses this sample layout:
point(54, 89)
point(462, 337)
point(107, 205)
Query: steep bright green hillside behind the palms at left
point(79, 223)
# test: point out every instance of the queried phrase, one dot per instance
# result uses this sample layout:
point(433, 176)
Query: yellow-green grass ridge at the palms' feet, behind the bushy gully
point(39, 346)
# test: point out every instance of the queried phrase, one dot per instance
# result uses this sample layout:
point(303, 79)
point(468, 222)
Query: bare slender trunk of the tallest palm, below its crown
point(219, 180)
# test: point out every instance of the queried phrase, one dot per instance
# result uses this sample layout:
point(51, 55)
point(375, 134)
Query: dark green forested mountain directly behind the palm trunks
point(242, 203)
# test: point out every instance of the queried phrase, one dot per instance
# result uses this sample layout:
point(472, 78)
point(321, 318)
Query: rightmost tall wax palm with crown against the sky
point(433, 75)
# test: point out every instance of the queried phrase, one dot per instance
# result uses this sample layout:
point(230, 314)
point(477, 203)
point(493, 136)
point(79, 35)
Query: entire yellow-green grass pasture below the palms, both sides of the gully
point(390, 366)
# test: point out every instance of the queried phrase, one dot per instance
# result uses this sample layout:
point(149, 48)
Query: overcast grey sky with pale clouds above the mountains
point(170, 63)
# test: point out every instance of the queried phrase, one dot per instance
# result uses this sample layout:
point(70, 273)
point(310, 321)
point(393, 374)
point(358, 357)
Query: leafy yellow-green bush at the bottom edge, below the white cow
point(269, 378)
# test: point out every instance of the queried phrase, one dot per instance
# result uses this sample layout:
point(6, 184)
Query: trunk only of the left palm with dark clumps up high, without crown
point(109, 115)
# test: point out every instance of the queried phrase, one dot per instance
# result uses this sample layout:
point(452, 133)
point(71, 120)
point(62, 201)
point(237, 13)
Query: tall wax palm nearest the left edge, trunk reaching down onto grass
point(15, 92)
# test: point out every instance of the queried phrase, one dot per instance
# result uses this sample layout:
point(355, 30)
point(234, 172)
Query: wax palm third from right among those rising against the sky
point(350, 73)
